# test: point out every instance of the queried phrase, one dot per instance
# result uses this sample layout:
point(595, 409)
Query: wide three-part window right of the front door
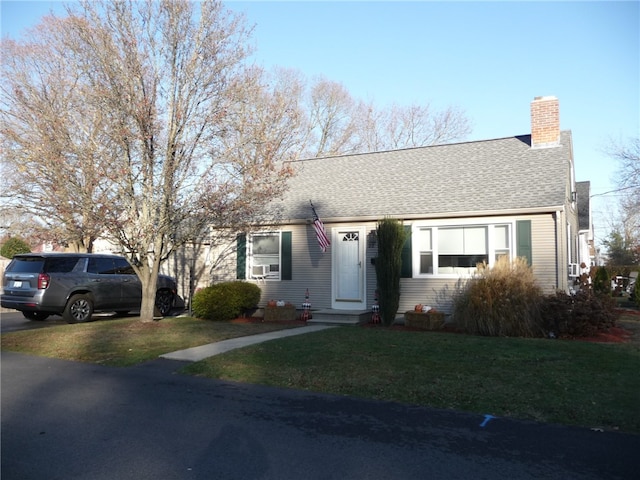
point(458, 249)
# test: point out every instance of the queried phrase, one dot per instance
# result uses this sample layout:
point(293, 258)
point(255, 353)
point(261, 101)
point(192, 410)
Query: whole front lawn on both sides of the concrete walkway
point(559, 381)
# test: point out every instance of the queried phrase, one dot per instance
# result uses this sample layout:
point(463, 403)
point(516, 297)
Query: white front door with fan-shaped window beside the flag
point(348, 269)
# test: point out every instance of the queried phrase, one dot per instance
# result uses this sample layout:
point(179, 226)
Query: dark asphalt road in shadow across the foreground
point(68, 420)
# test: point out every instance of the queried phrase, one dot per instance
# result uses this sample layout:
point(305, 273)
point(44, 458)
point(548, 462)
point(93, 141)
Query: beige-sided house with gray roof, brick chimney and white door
point(462, 203)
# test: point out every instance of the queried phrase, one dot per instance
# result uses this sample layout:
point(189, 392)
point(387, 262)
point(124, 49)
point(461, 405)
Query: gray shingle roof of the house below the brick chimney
point(479, 176)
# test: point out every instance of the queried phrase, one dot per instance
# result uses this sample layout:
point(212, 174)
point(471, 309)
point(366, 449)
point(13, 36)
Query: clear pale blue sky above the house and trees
point(489, 59)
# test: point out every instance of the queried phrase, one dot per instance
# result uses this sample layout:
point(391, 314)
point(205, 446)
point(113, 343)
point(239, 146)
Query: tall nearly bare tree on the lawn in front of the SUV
point(168, 80)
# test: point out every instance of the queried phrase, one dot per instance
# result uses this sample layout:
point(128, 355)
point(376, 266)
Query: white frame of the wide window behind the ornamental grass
point(489, 223)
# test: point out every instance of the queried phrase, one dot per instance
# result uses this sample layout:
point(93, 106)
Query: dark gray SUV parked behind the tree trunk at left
point(75, 285)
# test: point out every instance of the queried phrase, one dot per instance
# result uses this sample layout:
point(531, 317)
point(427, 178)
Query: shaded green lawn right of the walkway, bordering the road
point(551, 381)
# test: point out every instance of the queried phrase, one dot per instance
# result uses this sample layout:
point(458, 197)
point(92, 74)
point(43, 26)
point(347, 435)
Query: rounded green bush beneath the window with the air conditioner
point(225, 301)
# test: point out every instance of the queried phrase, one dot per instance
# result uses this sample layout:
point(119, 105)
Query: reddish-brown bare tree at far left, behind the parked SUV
point(50, 142)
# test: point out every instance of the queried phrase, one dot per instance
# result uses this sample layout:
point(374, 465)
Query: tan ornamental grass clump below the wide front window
point(502, 300)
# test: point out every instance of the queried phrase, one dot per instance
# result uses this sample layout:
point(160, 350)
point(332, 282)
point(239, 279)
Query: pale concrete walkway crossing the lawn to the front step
point(195, 354)
